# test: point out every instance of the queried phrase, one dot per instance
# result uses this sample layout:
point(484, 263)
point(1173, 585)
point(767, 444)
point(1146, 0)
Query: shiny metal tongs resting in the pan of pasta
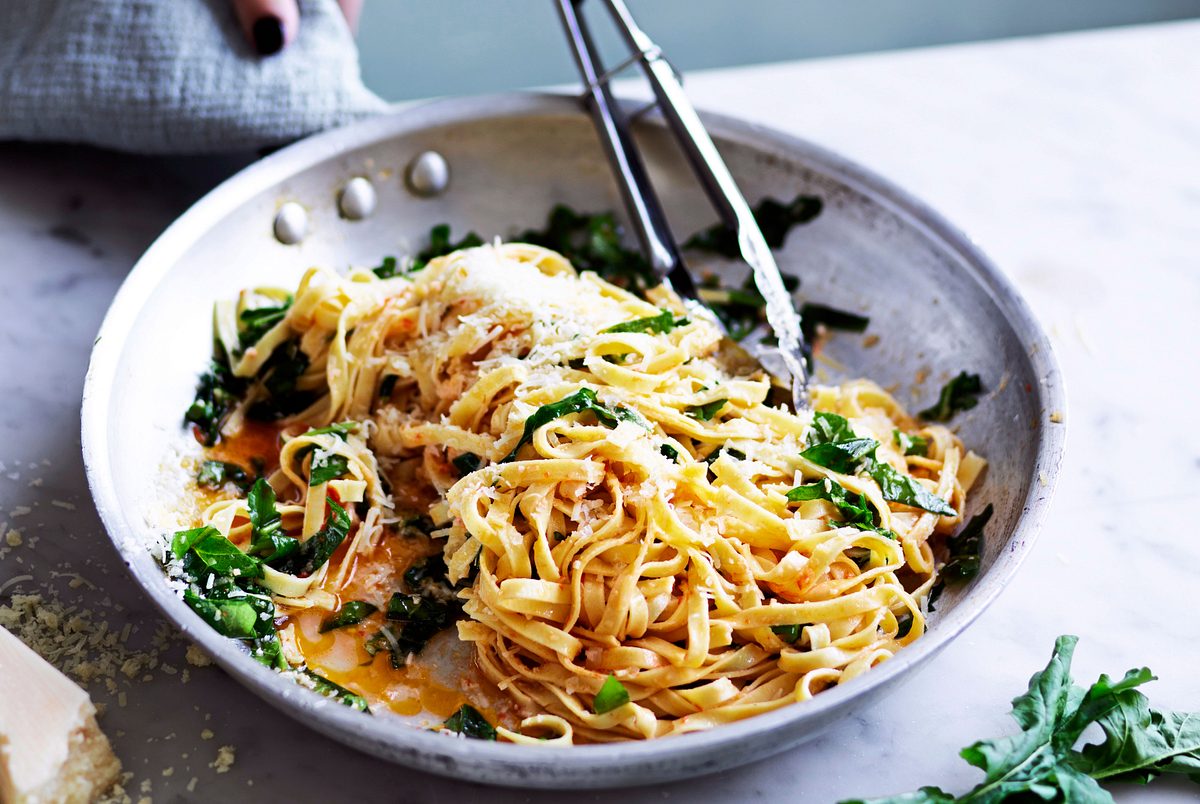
point(643, 203)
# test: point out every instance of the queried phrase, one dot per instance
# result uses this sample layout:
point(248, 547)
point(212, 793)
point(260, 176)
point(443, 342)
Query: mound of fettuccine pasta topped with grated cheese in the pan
point(611, 489)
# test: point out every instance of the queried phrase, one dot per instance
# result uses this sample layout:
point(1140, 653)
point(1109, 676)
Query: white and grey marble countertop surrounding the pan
point(1075, 161)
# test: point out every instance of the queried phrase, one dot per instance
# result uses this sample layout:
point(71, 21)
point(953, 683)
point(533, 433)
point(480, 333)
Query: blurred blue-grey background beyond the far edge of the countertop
point(422, 49)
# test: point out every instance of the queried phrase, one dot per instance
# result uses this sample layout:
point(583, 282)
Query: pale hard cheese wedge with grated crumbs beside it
point(51, 748)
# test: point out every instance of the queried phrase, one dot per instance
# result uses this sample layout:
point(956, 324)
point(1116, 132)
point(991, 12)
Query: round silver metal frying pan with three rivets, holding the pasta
point(937, 305)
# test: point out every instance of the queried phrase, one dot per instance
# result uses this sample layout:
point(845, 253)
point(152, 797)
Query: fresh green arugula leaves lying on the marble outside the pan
point(1042, 761)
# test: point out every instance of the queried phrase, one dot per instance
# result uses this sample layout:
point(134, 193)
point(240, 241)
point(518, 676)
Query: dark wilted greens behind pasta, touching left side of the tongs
point(592, 243)
